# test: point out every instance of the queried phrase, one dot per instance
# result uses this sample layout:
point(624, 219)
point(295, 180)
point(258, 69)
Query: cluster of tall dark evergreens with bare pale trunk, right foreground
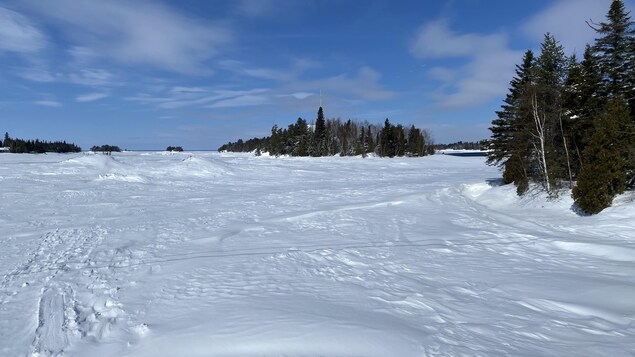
point(567, 122)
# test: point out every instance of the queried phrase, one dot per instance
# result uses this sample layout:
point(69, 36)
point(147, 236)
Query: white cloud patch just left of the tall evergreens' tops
point(489, 64)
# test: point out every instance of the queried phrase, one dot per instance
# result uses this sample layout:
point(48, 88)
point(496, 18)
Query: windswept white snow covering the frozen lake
point(205, 254)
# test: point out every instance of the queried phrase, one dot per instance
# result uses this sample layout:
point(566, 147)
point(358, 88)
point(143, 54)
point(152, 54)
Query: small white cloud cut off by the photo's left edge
point(18, 34)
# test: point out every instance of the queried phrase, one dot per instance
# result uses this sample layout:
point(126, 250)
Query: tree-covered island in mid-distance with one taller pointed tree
point(329, 137)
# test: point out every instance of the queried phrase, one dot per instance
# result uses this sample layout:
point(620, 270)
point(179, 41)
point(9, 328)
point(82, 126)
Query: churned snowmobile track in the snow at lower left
point(68, 308)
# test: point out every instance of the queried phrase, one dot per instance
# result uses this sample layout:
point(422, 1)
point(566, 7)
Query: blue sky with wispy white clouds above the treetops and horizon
point(148, 74)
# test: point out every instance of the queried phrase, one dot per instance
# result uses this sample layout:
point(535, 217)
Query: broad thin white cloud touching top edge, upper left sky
point(137, 33)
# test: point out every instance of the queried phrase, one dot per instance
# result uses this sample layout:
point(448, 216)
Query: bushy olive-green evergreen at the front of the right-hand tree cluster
point(605, 159)
